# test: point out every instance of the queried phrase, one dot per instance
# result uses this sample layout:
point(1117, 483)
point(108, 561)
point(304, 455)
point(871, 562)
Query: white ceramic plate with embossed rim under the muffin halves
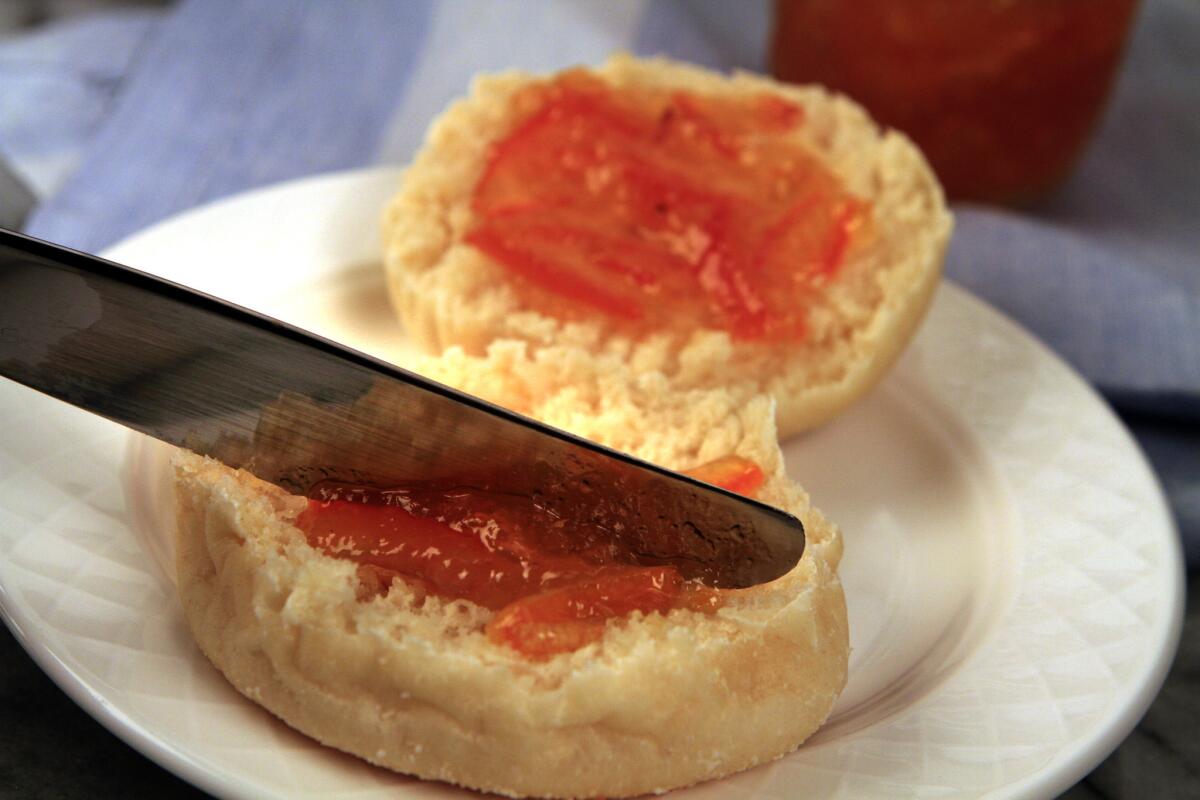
point(1013, 576)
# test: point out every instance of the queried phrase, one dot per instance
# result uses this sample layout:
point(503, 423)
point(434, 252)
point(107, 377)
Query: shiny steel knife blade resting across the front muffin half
point(302, 412)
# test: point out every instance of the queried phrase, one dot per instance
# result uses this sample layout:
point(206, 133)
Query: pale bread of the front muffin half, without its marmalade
point(410, 678)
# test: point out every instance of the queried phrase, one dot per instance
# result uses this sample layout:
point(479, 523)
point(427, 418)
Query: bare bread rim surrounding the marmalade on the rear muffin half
point(449, 293)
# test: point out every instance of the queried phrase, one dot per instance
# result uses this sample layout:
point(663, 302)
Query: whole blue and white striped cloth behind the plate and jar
point(219, 97)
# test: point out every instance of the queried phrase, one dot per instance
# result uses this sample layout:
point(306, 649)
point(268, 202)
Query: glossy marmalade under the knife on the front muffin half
point(501, 552)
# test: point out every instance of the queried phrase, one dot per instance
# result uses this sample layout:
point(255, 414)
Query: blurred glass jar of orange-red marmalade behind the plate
point(1001, 95)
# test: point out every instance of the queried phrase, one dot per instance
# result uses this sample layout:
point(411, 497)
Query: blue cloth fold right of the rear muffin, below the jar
point(1129, 328)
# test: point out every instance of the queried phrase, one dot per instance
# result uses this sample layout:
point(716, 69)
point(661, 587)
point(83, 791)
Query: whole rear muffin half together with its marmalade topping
point(715, 230)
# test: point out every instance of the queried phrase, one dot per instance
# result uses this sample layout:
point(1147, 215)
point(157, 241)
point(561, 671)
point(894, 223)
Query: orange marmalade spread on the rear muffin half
point(664, 209)
